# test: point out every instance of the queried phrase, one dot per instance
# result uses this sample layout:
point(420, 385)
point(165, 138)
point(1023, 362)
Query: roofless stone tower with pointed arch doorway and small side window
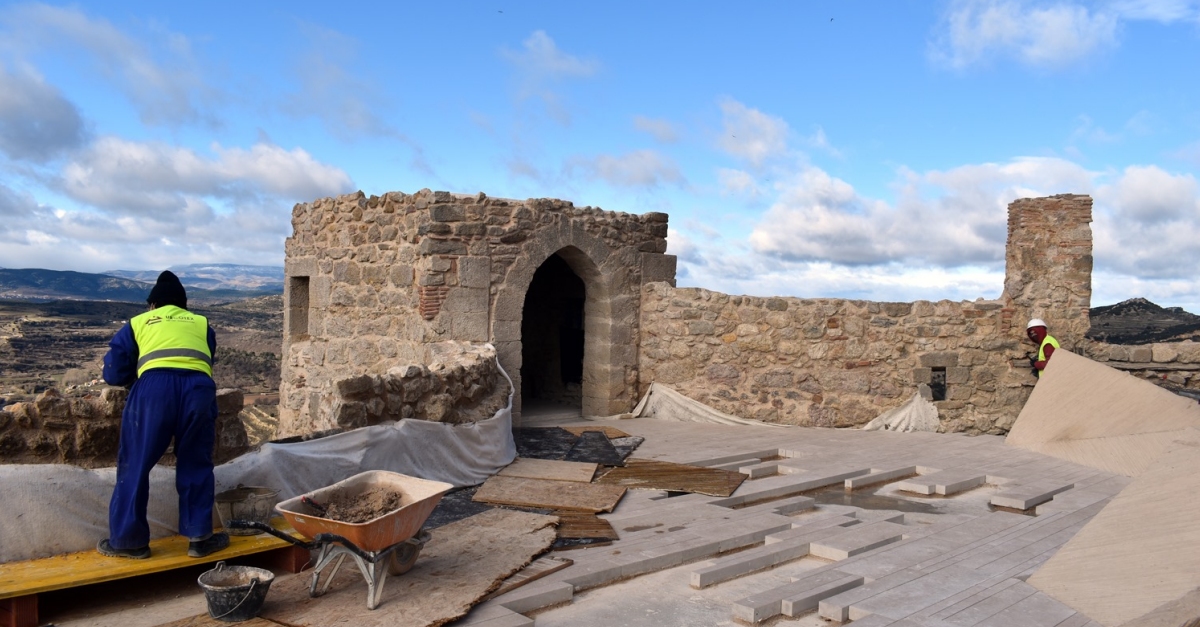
point(374, 282)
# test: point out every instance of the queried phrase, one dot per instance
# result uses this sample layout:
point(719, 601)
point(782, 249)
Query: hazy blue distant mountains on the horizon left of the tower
point(206, 284)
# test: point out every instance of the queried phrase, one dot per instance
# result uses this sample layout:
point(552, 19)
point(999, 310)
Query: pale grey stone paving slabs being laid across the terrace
point(940, 566)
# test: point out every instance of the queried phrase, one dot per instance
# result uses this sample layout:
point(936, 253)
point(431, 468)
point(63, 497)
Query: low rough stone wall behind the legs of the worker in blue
point(86, 431)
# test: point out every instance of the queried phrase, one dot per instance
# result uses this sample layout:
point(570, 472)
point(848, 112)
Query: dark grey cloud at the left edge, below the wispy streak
point(37, 122)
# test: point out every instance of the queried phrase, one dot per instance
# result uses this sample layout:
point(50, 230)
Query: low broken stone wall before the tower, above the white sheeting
point(463, 385)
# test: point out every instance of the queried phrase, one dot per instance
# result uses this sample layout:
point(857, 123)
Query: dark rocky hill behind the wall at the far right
point(1139, 321)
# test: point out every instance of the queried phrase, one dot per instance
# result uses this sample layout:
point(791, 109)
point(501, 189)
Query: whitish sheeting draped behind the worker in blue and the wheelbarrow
point(53, 509)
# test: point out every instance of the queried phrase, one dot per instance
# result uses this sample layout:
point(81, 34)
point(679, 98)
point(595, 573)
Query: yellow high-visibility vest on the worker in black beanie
point(170, 337)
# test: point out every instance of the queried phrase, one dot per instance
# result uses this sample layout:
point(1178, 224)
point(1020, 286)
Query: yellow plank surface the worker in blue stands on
point(81, 569)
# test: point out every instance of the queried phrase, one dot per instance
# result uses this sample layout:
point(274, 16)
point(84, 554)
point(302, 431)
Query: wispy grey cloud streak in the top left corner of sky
point(164, 85)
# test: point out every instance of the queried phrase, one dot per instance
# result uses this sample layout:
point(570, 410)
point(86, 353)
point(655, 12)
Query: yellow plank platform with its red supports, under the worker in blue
point(22, 582)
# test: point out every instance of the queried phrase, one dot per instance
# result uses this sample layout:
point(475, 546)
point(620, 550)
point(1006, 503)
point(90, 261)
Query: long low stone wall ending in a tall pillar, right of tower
point(841, 363)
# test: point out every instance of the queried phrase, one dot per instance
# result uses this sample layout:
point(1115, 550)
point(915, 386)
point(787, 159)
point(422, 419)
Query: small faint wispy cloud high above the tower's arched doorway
point(542, 67)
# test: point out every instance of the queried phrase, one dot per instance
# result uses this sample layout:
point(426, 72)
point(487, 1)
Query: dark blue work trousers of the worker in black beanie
point(165, 404)
